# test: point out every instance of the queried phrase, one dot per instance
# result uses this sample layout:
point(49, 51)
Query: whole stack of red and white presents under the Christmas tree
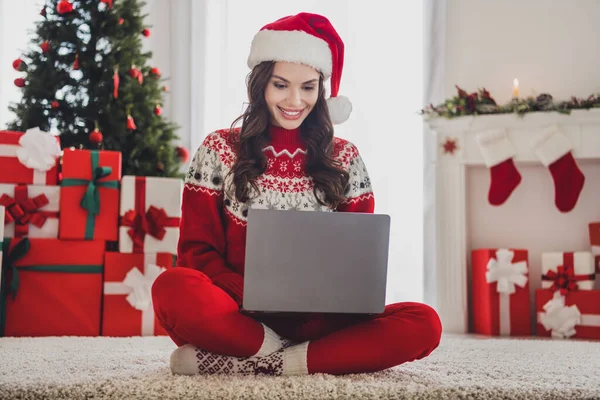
point(82, 245)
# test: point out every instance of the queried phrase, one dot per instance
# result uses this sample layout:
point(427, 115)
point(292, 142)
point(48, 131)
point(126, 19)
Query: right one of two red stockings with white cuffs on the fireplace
point(554, 151)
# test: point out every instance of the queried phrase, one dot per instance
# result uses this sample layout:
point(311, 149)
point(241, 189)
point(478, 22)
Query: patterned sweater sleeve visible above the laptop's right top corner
point(359, 195)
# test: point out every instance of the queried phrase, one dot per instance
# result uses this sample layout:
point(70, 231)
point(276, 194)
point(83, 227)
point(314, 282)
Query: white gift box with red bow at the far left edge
point(49, 212)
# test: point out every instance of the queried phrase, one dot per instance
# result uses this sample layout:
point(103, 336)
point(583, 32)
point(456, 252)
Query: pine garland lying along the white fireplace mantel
point(480, 103)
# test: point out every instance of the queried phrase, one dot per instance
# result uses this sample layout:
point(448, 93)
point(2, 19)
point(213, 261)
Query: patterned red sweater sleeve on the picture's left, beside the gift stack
point(202, 241)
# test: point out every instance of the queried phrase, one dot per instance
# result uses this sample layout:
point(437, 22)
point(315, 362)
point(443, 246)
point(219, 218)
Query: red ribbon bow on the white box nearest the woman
point(153, 223)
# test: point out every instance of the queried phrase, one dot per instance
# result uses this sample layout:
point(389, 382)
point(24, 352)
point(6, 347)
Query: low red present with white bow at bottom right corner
point(572, 315)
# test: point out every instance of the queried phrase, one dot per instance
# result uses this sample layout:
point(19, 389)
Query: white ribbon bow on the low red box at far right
point(560, 319)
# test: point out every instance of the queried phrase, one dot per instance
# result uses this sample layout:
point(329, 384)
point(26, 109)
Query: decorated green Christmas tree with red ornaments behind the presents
point(87, 77)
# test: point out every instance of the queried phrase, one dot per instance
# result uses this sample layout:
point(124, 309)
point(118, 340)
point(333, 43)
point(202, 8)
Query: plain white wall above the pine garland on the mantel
point(549, 45)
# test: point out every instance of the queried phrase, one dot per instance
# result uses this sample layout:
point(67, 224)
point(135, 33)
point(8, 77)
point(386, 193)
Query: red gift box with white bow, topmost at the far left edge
point(15, 171)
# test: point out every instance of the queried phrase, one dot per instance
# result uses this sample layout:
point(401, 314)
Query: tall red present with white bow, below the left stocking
point(500, 292)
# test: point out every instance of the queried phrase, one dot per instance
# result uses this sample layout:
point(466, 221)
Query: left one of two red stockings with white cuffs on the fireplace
point(498, 153)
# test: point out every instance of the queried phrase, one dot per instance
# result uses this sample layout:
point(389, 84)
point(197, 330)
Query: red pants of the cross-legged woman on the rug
point(193, 310)
